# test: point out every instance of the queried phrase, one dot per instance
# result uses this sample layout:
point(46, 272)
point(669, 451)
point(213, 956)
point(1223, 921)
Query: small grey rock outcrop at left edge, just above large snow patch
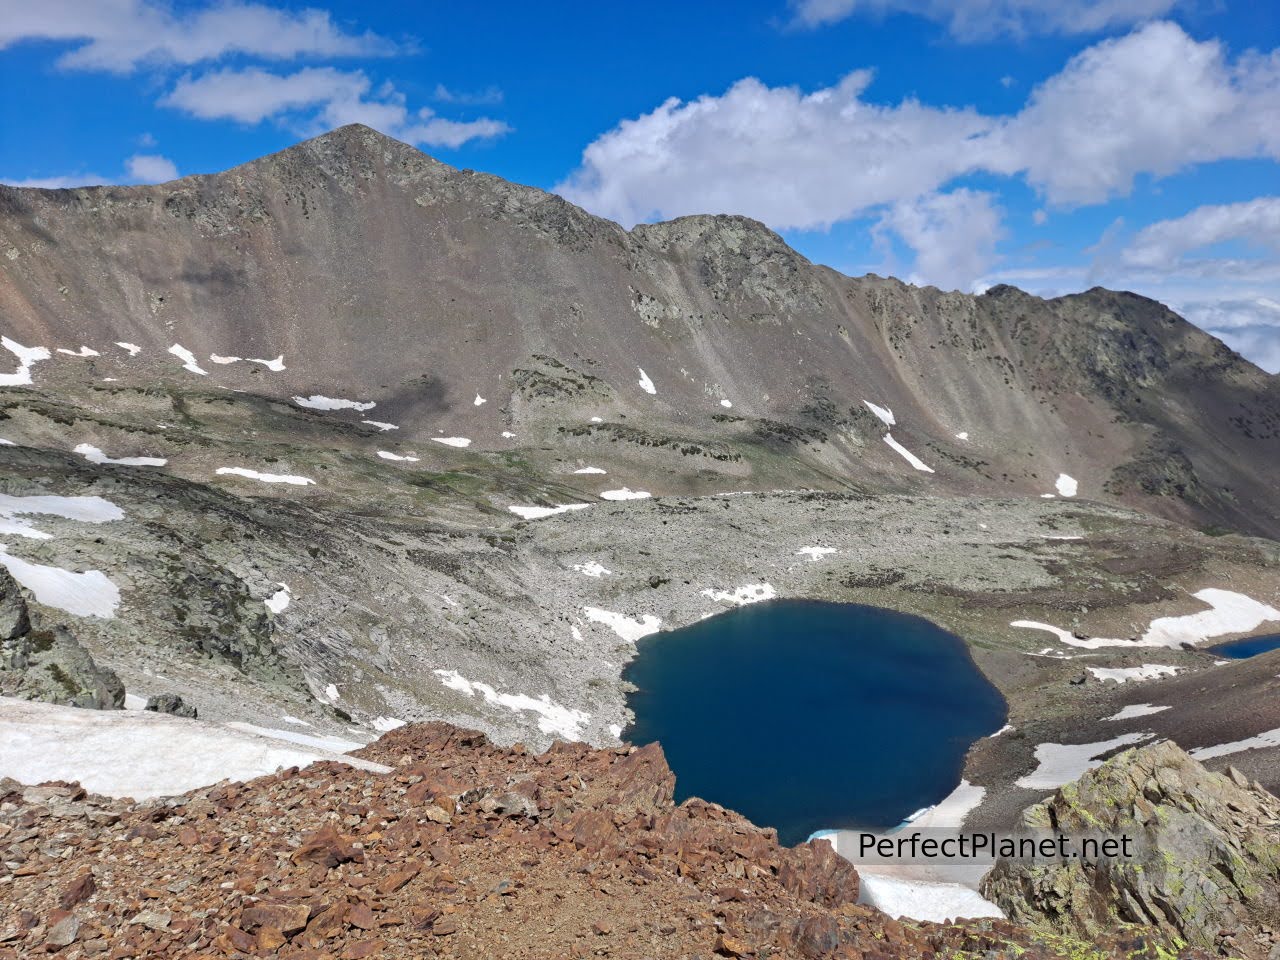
point(52, 666)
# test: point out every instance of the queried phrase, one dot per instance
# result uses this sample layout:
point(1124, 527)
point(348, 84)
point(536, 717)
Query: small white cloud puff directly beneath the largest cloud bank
point(953, 236)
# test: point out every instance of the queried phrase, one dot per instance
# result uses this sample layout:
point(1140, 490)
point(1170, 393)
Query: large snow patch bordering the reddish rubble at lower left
point(139, 755)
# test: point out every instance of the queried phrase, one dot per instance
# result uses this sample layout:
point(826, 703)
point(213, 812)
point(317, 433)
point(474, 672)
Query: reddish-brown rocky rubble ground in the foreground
point(464, 851)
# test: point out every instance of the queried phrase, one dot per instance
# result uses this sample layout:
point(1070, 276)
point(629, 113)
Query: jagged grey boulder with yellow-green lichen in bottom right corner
point(1206, 871)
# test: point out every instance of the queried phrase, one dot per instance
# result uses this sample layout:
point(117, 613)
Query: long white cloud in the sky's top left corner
point(120, 35)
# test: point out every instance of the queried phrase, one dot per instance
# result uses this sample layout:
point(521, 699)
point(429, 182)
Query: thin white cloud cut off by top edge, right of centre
point(981, 20)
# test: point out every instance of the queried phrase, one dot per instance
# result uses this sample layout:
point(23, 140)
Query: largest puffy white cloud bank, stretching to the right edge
point(1151, 103)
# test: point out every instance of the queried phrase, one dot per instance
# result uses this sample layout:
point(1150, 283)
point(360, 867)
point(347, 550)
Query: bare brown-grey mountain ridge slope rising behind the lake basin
point(383, 277)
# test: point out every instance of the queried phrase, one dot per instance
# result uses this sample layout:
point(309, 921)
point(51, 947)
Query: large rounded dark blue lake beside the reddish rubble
point(806, 716)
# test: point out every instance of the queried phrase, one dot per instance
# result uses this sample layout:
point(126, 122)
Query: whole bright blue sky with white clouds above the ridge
point(1131, 144)
